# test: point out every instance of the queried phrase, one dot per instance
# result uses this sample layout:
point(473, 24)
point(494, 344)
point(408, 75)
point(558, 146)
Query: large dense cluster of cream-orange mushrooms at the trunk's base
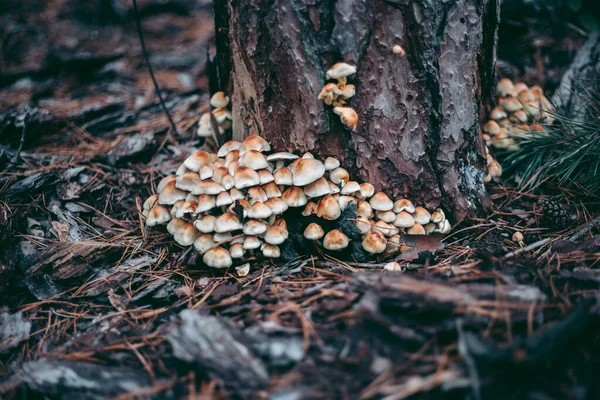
point(230, 205)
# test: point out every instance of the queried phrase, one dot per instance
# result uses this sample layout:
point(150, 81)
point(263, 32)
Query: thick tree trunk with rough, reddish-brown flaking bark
point(418, 131)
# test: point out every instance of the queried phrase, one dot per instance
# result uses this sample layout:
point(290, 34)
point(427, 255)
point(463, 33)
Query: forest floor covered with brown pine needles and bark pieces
point(97, 306)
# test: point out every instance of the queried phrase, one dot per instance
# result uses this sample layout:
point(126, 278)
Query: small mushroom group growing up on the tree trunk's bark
point(336, 95)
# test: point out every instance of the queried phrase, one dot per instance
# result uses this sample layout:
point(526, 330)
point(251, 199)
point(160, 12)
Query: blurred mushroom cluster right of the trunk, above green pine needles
point(520, 110)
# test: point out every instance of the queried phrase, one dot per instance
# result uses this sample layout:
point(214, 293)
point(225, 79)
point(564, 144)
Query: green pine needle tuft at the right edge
point(567, 154)
